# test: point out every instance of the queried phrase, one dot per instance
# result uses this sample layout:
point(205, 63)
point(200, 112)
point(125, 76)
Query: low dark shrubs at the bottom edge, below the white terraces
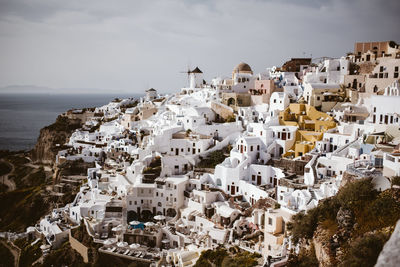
point(220, 257)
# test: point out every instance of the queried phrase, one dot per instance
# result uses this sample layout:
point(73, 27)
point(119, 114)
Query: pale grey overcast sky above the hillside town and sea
point(130, 46)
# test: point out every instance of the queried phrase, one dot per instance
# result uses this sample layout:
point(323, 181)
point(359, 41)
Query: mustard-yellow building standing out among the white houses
point(311, 125)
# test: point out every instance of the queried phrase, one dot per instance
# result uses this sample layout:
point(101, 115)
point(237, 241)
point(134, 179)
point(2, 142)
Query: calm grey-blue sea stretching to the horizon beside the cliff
point(23, 115)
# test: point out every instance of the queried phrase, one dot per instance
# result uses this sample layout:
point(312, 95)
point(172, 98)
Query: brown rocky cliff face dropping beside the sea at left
point(52, 139)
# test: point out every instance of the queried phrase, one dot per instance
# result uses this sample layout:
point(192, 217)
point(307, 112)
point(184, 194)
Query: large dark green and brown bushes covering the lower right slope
point(370, 212)
